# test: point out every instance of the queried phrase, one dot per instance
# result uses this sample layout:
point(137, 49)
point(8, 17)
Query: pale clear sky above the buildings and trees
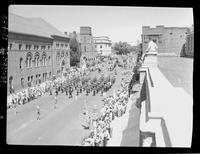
point(118, 23)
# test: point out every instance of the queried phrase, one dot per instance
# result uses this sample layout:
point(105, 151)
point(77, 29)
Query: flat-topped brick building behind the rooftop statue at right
point(169, 39)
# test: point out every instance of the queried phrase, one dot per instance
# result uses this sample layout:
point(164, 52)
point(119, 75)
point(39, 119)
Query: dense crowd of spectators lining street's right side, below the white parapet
point(114, 106)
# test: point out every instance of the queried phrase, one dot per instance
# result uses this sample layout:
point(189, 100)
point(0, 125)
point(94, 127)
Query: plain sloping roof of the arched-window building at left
point(34, 26)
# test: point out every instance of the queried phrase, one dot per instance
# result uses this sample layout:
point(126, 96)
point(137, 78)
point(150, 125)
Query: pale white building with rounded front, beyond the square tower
point(103, 45)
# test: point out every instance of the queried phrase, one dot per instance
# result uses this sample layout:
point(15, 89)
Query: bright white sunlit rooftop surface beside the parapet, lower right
point(174, 105)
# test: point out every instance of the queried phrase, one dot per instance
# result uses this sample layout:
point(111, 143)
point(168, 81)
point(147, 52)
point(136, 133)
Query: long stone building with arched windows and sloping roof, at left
point(36, 52)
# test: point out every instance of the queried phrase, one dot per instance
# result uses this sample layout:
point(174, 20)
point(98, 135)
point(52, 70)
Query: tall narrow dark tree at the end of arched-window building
point(75, 53)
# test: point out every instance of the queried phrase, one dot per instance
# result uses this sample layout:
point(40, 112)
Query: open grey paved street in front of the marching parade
point(61, 126)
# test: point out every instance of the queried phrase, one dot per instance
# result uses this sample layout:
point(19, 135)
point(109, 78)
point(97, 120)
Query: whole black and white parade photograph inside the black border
point(108, 76)
